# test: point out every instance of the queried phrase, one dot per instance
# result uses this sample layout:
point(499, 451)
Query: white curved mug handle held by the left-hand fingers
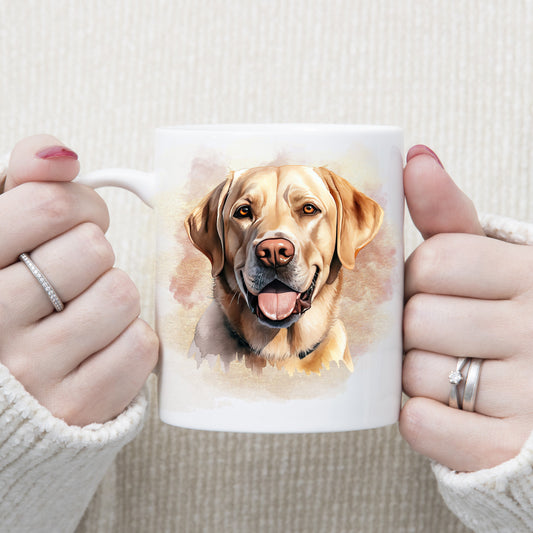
point(142, 184)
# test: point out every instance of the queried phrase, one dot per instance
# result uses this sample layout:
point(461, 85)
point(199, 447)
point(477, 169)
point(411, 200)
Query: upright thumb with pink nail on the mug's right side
point(435, 203)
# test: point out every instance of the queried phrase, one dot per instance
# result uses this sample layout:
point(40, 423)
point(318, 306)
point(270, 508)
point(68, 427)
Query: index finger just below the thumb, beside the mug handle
point(33, 213)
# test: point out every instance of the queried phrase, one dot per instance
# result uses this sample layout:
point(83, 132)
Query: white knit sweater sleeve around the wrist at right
point(498, 499)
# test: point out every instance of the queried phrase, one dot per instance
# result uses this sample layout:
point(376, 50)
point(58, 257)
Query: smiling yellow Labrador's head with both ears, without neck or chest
point(279, 234)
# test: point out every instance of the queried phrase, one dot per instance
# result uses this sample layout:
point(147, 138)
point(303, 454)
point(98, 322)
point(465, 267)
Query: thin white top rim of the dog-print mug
point(288, 127)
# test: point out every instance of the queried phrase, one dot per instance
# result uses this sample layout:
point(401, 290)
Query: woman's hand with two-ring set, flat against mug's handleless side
point(467, 296)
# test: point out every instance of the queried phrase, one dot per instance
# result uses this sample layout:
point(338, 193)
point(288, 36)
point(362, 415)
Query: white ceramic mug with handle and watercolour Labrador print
point(279, 274)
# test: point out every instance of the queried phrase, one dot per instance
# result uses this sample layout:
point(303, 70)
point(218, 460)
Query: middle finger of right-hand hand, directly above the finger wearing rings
point(462, 327)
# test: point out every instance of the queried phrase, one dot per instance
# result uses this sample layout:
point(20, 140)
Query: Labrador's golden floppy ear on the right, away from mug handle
point(358, 217)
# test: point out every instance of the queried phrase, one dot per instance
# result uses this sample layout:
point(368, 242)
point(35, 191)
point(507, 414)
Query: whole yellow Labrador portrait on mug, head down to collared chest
point(277, 238)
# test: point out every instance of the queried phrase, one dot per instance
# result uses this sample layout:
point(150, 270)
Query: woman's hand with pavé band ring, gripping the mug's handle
point(87, 362)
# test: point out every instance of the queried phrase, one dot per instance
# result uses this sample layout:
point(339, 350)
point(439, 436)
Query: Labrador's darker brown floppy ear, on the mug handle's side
point(205, 225)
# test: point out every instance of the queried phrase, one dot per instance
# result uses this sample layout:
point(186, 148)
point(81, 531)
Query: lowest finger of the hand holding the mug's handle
point(105, 383)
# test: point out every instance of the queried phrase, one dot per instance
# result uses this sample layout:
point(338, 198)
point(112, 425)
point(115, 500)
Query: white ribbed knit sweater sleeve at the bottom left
point(48, 469)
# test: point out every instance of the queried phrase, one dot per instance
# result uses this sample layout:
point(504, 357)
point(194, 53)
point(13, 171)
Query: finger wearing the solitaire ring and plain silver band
point(500, 390)
